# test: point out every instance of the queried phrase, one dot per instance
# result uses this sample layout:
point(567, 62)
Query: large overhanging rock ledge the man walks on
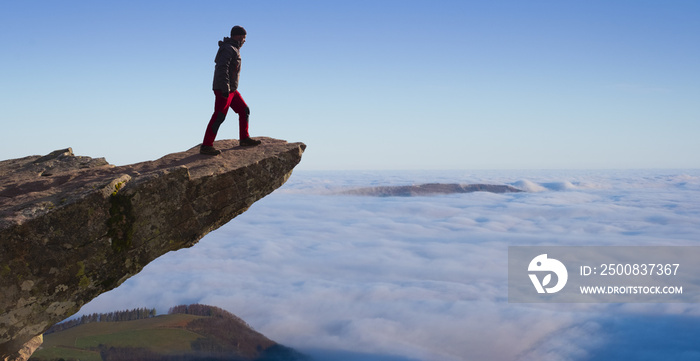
point(74, 227)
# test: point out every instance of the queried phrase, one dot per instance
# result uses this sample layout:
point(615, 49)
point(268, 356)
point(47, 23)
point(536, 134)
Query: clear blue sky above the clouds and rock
point(365, 84)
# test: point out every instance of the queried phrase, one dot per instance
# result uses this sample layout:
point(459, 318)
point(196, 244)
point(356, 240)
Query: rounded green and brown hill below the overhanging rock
point(187, 333)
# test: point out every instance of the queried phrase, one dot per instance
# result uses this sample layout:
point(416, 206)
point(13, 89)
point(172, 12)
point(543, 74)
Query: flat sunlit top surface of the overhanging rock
point(32, 185)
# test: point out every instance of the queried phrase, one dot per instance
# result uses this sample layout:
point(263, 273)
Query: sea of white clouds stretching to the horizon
point(425, 278)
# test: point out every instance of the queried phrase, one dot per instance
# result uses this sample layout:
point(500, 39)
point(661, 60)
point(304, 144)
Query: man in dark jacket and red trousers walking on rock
point(226, 71)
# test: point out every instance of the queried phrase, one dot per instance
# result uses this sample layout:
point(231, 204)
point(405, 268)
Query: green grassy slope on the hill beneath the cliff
point(162, 334)
